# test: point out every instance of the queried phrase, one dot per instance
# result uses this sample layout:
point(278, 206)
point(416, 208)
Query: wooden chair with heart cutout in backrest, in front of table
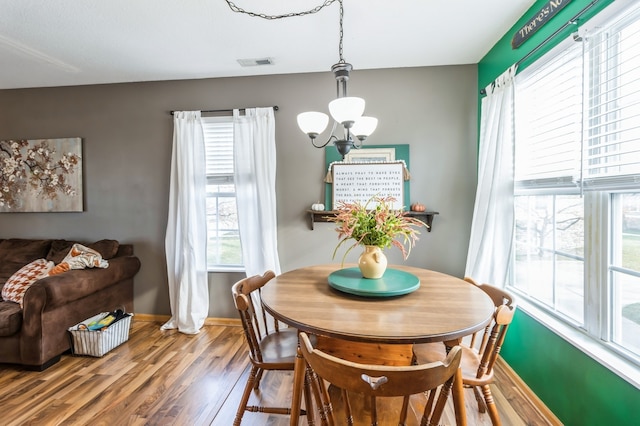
point(376, 381)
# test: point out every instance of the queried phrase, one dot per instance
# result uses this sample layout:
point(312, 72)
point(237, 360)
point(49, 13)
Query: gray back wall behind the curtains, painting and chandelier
point(127, 136)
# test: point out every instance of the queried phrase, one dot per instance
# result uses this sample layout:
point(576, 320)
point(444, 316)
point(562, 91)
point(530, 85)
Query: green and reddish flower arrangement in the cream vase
point(380, 226)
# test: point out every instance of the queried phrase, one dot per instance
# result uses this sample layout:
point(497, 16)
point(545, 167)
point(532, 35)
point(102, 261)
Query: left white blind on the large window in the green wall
point(548, 121)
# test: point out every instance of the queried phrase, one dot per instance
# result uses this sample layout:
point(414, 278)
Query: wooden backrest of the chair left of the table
point(253, 317)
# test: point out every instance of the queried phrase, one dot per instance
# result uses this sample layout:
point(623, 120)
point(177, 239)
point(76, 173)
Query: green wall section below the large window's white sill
point(577, 389)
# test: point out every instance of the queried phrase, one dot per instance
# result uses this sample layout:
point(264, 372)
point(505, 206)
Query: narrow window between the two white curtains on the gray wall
point(224, 252)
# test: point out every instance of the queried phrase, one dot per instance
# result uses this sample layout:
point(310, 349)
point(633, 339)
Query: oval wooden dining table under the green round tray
point(442, 309)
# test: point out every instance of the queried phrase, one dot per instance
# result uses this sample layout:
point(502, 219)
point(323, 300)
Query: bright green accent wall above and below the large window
point(579, 390)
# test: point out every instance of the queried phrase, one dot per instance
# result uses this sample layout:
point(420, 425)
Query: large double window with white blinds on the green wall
point(577, 171)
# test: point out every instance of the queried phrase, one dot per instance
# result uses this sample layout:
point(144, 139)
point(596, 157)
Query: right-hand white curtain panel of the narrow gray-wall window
point(255, 179)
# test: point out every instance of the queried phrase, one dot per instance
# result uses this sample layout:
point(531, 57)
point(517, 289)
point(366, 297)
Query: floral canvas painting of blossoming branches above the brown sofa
point(41, 175)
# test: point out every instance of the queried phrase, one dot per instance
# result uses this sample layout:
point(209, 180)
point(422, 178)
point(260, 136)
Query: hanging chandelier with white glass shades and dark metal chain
point(345, 110)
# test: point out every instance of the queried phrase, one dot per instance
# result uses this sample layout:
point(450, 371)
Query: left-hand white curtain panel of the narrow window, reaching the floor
point(186, 236)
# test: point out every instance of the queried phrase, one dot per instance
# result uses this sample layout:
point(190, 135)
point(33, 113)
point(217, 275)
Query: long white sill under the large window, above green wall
point(599, 352)
